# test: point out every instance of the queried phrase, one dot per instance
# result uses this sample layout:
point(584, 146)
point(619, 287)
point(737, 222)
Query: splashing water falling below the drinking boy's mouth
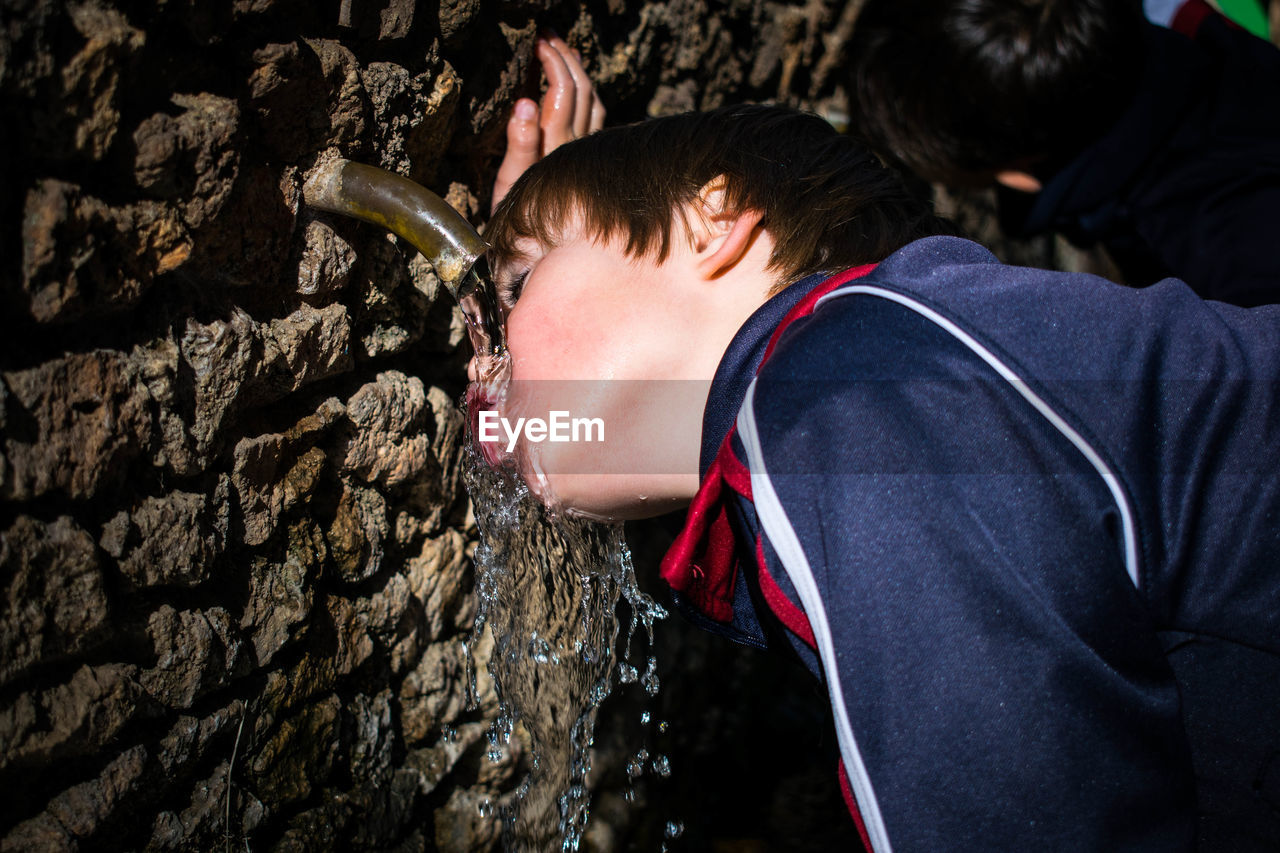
point(548, 589)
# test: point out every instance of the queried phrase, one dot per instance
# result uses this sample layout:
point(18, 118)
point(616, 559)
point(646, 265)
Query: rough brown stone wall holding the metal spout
point(235, 555)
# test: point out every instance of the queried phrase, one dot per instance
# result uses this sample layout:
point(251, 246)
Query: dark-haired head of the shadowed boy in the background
point(961, 90)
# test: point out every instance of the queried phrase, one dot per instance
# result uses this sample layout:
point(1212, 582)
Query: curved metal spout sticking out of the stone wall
point(429, 225)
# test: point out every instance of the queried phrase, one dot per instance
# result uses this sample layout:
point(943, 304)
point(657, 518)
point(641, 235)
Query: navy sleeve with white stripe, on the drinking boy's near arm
point(995, 678)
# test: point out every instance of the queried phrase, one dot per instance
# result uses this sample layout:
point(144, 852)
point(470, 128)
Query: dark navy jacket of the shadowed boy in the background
point(1187, 183)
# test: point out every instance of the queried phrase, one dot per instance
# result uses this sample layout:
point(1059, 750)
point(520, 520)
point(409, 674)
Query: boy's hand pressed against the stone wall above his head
point(570, 110)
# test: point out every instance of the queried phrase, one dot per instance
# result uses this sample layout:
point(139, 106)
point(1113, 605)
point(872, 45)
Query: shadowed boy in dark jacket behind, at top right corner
point(1162, 144)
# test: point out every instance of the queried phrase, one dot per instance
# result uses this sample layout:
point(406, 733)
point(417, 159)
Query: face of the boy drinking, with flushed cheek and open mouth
point(606, 340)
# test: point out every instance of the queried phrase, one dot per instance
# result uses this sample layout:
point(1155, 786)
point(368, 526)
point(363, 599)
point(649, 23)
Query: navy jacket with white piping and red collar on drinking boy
point(977, 499)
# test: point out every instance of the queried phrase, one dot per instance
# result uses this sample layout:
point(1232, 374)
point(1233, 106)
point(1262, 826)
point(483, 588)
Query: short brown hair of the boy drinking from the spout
point(826, 200)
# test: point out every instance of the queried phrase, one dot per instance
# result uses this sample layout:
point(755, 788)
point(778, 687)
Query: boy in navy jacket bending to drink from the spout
point(970, 498)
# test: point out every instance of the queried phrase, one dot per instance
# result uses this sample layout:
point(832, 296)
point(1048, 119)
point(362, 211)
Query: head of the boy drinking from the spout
point(632, 258)
